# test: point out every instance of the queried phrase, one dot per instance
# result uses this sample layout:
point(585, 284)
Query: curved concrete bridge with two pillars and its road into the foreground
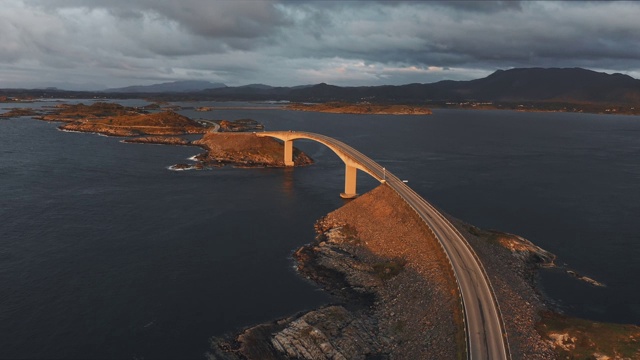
point(486, 337)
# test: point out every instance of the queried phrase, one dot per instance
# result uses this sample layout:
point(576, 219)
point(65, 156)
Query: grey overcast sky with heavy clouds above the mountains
point(111, 43)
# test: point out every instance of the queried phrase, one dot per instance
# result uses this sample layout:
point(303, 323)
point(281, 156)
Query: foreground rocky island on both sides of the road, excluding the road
point(396, 297)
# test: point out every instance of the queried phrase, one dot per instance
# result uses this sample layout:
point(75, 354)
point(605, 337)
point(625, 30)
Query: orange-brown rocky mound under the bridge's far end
point(246, 149)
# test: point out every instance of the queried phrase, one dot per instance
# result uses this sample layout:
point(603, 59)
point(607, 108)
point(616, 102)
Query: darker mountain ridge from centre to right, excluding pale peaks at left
point(574, 85)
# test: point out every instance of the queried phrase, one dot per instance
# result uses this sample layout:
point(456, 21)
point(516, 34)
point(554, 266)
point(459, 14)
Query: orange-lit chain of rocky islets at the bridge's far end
point(227, 142)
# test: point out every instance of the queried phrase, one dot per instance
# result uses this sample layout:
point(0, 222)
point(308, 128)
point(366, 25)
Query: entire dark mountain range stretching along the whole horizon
point(539, 85)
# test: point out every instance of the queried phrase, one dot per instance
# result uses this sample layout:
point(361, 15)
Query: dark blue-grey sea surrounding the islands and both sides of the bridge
point(106, 253)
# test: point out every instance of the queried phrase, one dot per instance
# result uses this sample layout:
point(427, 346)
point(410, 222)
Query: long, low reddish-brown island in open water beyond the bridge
point(364, 108)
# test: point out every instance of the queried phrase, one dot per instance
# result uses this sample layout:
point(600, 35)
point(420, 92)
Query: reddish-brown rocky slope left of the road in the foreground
point(397, 295)
